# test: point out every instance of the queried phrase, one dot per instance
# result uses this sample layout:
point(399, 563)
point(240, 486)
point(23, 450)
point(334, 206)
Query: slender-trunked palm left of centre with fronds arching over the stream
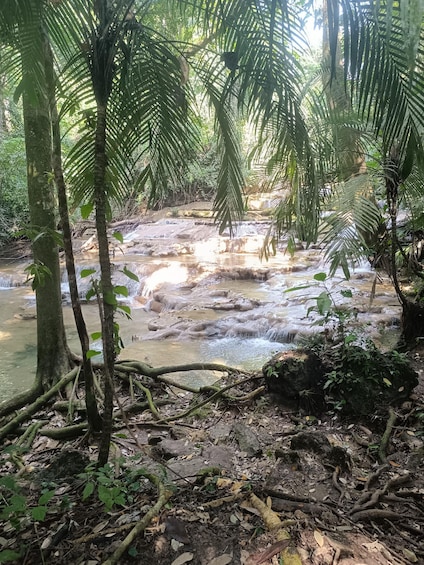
point(132, 81)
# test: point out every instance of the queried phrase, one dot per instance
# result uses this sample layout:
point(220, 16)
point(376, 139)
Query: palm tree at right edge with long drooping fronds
point(383, 52)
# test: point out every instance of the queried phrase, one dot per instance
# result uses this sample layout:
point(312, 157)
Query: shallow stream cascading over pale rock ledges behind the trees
point(200, 297)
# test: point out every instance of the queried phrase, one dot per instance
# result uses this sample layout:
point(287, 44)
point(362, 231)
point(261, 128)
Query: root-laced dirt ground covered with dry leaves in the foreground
point(319, 480)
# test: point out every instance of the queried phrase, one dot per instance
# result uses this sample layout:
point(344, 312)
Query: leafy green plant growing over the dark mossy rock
point(358, 375)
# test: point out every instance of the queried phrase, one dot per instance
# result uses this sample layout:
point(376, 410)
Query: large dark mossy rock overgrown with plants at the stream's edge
point(352, 379)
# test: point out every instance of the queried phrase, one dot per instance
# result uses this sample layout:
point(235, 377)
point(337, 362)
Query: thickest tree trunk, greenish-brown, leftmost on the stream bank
point(52, 351)
